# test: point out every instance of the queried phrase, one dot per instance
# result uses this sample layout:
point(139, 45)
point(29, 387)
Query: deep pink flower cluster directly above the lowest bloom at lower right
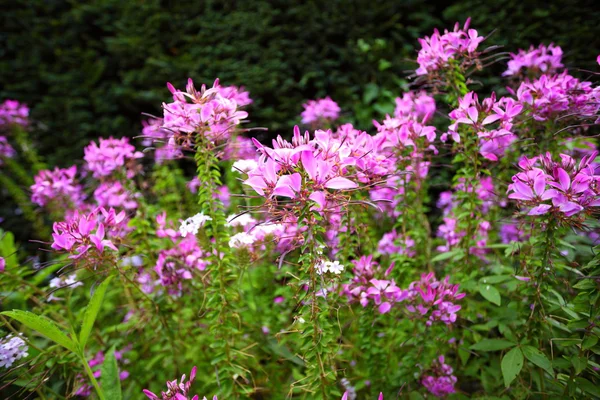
point(428, 296)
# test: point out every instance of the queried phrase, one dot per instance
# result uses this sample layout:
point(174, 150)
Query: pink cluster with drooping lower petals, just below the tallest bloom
point(479, 116)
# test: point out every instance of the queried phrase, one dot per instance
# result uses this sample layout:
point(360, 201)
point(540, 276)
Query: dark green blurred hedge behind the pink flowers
point(89, 69)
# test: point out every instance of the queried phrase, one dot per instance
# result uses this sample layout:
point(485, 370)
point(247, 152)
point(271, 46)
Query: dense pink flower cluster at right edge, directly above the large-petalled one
point(551, 96)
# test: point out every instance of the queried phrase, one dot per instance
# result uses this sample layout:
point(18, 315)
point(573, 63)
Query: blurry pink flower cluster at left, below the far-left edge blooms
point(58, 187)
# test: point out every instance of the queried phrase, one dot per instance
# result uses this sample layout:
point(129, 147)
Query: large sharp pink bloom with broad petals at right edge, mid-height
point(562, 188)
